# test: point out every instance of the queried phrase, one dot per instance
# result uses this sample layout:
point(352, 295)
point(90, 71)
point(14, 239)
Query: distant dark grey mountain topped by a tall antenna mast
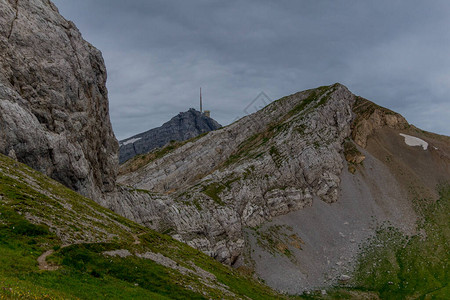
point(184, 126)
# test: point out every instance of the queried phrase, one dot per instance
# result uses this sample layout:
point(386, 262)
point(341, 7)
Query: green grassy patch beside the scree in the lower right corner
point(399, 267)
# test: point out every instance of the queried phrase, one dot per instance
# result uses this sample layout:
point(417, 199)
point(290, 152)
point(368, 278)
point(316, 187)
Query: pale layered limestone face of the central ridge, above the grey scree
point(264, 165)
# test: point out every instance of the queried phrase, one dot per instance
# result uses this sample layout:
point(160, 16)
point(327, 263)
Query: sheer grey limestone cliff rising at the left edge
point(54, 112)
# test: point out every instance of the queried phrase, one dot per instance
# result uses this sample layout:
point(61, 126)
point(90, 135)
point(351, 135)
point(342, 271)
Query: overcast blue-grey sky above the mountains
point(158, 54)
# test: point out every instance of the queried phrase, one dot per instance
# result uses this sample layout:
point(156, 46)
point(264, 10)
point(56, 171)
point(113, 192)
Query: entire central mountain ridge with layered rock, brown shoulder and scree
point(293, 154)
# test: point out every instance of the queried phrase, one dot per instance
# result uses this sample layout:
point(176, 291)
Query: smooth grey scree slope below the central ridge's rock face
point(330, 235)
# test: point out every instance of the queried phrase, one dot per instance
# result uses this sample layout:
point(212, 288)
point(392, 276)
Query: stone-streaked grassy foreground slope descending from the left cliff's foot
point(84, 272)
